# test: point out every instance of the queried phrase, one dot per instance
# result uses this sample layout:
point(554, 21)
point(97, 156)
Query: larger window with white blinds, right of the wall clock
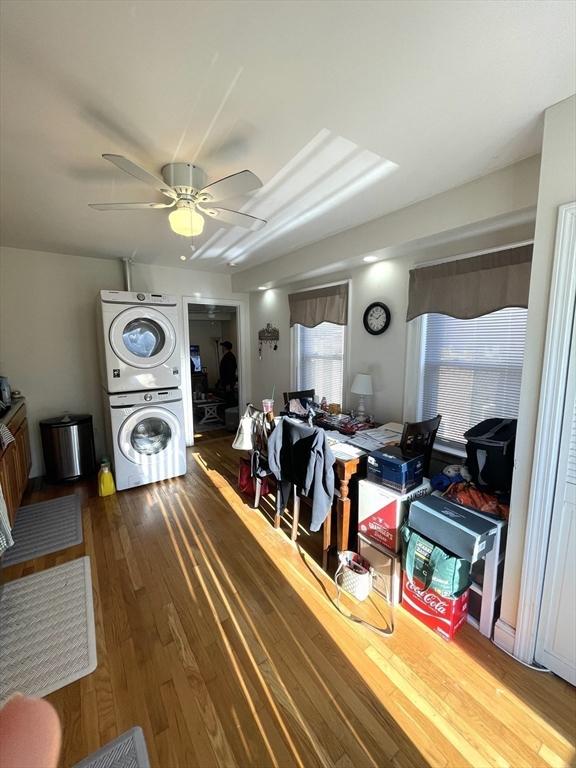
point(470, 370)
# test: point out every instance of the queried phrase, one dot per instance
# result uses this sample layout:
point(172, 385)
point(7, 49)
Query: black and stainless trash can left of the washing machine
point(68, 447)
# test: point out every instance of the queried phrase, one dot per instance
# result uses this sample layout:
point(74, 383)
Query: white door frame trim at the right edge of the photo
point(549, 428)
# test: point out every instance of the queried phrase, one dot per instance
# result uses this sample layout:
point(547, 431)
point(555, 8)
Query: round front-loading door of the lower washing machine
point(148, 435)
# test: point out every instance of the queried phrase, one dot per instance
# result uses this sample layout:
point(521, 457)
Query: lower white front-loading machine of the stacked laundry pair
point(146, 431)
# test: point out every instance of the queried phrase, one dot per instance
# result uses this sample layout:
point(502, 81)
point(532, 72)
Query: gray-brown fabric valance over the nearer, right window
point(472, 287)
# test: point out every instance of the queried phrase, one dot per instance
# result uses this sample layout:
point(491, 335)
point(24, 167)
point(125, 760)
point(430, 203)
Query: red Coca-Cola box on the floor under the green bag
point(444, 615)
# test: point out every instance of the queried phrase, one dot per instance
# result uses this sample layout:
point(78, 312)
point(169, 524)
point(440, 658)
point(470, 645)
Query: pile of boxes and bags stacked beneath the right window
point(437, 546)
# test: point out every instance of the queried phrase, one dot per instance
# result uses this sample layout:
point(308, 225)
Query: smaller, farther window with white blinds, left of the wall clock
point(319, 360)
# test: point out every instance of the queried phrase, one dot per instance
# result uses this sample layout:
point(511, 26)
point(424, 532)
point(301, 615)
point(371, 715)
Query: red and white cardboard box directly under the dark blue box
point(381, 512)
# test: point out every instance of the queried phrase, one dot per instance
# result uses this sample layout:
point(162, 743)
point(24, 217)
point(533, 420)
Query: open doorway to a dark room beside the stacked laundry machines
point(213, 372)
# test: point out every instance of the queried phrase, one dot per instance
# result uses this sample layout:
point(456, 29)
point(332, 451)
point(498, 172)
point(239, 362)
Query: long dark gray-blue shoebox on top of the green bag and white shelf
point(455, 528)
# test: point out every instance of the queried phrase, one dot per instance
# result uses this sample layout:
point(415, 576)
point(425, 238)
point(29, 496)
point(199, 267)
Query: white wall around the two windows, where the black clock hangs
point(382, 356)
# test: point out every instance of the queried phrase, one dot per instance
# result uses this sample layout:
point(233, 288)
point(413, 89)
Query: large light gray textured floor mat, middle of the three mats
point(47, 632)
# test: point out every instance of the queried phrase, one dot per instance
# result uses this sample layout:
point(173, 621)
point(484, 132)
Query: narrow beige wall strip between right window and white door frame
point(557, 186)
